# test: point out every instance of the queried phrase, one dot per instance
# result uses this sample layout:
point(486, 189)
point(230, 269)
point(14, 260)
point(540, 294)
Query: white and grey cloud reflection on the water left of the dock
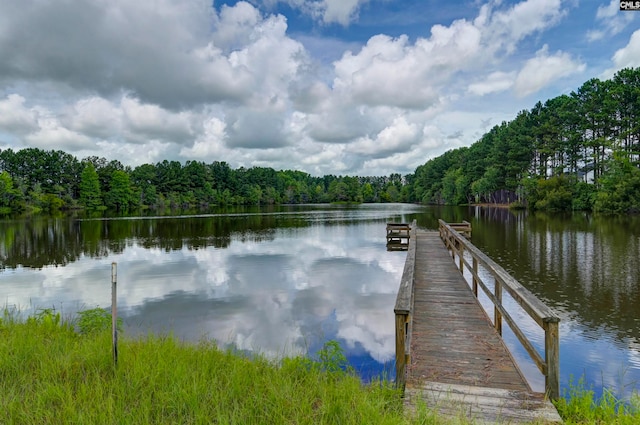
point(278, 296)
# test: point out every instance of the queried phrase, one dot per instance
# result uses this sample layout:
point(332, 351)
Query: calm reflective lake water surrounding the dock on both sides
point(283, 280)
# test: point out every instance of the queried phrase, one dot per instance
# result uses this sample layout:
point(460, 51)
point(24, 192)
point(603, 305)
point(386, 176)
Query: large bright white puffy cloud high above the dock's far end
point(392, 72)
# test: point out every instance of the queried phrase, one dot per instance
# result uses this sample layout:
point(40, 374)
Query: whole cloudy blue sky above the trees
point(343, 87)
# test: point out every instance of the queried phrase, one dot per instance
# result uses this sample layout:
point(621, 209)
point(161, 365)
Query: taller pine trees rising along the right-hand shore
point(577, 151)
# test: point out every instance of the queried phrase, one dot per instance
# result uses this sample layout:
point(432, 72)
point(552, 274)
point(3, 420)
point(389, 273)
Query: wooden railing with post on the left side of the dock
point(403, 310)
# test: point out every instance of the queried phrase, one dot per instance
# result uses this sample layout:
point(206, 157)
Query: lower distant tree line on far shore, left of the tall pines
point(33, 179)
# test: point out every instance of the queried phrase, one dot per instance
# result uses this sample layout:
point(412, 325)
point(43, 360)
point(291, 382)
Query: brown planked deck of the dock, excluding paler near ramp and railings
point(449, 326)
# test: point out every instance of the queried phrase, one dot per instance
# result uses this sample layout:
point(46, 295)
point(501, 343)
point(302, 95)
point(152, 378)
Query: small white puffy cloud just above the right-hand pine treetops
point(543, 69)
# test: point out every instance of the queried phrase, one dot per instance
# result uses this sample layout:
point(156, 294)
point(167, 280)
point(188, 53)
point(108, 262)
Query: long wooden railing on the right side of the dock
point(536, 309)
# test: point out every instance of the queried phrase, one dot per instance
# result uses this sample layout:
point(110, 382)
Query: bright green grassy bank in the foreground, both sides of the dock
point(61, 372)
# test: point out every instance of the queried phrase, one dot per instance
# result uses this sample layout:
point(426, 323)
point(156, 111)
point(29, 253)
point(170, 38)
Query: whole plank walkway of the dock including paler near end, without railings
point(457, 362)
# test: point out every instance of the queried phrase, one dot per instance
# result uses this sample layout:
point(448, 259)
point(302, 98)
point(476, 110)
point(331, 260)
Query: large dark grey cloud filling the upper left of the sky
point(159, 50)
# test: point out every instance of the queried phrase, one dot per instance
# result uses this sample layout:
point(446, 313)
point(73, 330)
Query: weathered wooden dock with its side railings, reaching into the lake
point(449, 354)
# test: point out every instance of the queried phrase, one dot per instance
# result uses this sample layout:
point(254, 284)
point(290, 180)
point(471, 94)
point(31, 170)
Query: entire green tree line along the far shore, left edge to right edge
point(577, 151)
